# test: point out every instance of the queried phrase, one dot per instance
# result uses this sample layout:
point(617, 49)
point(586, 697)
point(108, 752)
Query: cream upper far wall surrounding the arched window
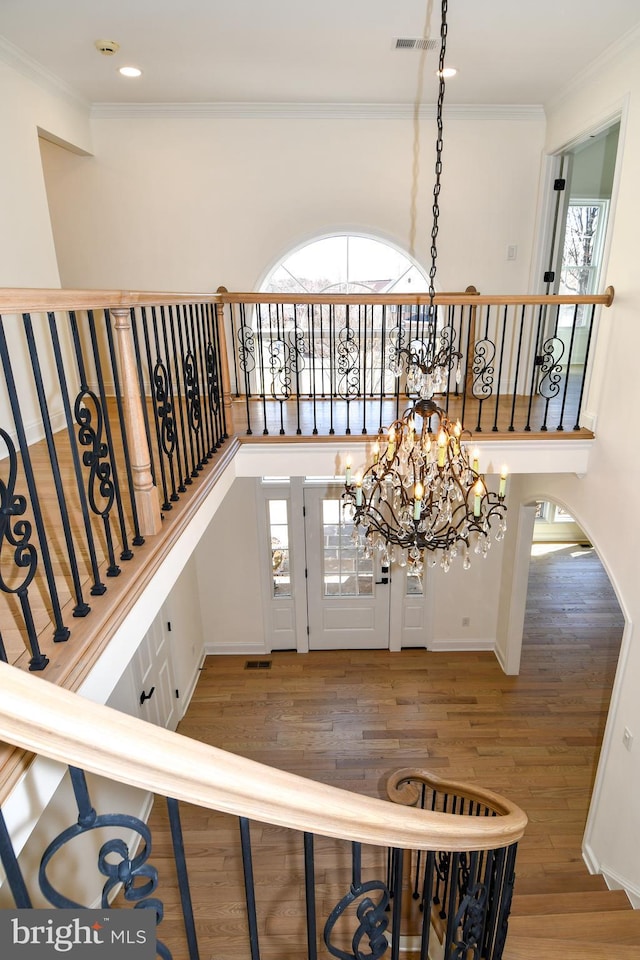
point(194, 203)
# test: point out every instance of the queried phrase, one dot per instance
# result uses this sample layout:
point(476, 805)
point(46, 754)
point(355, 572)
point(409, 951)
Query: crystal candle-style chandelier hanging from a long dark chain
point(422, 493)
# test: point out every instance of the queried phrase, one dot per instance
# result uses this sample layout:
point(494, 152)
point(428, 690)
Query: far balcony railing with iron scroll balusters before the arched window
point(337, 364)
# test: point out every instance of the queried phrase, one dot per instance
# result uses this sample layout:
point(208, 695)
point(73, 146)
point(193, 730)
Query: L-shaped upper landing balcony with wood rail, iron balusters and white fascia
point(121, 412)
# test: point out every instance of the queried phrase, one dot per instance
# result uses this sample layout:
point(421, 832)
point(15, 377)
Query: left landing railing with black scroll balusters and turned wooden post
point(113, 401)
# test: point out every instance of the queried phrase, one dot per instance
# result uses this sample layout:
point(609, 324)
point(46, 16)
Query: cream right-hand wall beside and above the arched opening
point(604, 501)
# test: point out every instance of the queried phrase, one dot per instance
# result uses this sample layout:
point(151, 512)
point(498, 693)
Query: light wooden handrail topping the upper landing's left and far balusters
point(25, 300)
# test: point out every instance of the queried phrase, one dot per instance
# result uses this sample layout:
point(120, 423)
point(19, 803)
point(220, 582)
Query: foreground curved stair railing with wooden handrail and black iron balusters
point(354, 908)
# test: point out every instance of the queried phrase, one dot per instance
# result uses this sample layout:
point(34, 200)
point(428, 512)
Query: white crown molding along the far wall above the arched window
point(310, 111)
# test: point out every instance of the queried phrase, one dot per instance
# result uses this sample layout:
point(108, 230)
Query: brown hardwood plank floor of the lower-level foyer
point(349, 718)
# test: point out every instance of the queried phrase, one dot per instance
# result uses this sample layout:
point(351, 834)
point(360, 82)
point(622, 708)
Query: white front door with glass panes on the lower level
point(348, 596)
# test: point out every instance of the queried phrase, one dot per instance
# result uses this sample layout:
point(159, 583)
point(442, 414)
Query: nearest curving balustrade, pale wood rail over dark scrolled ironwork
point(359, 907)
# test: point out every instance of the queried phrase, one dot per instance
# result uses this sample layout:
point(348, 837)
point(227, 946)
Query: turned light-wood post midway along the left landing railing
point(145, 491)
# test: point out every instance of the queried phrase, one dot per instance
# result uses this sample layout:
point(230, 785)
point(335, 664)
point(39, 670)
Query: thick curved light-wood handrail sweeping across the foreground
point(42, 718)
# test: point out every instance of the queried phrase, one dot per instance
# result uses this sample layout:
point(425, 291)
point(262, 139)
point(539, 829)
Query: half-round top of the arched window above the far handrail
point(346, 264)
